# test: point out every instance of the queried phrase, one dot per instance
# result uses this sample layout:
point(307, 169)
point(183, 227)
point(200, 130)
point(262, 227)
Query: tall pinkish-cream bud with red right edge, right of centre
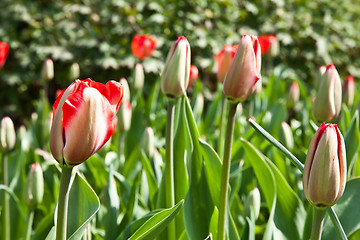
point(244, 71)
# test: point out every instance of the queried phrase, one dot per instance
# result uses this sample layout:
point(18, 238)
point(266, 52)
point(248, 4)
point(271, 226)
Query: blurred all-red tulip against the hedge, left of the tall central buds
point(143, 46)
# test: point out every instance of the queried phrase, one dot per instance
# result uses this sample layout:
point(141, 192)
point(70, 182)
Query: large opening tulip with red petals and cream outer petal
point(83, 120)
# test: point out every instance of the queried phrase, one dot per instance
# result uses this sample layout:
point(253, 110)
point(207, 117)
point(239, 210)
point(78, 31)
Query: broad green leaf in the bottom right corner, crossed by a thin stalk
point(347, 210)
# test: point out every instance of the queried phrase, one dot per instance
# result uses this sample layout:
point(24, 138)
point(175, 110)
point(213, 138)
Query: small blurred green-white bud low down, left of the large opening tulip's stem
point(34, 187)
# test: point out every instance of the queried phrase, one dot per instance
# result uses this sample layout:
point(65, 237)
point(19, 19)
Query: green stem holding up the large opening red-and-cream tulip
point(61, 224)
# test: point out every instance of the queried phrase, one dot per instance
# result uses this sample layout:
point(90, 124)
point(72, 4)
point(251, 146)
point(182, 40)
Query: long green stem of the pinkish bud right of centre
point(226, 171)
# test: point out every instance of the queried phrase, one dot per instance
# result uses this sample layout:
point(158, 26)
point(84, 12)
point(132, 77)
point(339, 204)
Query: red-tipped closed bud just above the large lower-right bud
point(327, 103)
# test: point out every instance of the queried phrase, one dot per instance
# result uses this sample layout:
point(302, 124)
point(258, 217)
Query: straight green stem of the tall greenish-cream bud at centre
point(169, 164)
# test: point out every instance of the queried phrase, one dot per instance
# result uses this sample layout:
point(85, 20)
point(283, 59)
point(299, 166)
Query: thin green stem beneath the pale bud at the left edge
point(6, 200)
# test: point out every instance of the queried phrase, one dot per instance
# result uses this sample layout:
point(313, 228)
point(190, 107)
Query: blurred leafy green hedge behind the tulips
point(97, 34)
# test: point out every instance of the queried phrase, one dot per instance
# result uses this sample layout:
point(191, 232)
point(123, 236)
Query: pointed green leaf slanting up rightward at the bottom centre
point(157, 223)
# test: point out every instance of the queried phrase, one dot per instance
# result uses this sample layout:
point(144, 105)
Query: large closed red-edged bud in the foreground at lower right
point(324, 176)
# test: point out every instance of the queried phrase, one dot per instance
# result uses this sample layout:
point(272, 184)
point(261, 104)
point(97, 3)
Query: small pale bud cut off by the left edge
point(7, 134)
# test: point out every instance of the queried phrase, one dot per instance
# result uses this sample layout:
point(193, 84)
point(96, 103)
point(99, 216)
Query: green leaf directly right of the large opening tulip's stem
point(83, 205)
